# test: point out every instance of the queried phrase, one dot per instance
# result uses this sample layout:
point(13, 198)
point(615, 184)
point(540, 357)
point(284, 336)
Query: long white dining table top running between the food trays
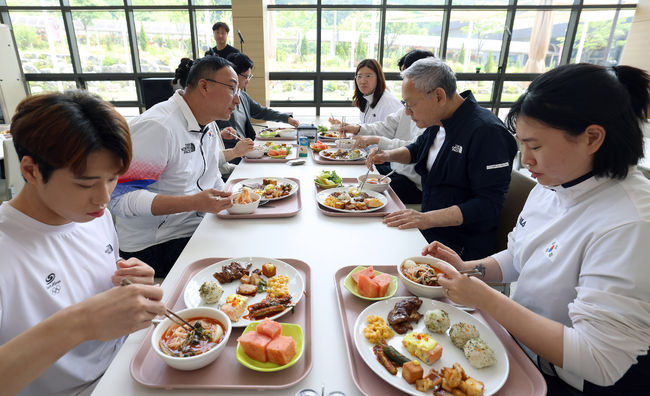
point(325, 243)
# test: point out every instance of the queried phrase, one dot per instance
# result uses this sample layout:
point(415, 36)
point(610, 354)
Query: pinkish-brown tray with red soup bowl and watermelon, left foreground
point(226, 372)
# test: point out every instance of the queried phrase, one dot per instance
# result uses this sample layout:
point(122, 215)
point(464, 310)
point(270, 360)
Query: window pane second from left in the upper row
point(103, 41)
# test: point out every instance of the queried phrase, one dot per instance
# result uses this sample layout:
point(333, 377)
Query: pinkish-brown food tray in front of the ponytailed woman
point(523, 379)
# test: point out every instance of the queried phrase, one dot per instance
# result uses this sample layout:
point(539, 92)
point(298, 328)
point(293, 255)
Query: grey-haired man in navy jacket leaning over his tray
point(464, 158)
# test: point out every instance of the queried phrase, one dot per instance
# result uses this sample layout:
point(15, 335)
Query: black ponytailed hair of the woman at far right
point(572, 97)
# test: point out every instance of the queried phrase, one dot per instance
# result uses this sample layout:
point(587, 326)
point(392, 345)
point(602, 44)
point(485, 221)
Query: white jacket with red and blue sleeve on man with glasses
point(171, 156)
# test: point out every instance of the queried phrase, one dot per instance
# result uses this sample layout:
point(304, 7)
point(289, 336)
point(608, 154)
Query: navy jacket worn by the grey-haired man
point(472, 170)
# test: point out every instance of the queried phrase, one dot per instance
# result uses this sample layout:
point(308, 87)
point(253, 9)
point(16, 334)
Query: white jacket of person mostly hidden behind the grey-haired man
point(396, 131)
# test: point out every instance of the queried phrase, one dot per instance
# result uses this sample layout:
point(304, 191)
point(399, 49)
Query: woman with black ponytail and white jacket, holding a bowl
point(579, 251)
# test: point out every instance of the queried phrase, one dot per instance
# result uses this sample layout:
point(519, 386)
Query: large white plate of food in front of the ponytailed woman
point(493, 377)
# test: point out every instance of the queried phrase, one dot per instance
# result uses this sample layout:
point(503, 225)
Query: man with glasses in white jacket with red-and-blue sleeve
point(174, 176)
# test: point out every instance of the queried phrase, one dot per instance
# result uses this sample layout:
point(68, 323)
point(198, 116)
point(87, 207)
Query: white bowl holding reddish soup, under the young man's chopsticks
point(198, 361)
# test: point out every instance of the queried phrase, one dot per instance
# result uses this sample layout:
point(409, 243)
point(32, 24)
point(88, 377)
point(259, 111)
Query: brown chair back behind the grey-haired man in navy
point(520, 186)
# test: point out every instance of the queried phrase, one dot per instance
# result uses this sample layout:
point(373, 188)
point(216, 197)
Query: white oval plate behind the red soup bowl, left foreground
point(193, 299)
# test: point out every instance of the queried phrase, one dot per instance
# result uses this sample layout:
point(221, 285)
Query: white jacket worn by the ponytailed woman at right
point(580, 255)
